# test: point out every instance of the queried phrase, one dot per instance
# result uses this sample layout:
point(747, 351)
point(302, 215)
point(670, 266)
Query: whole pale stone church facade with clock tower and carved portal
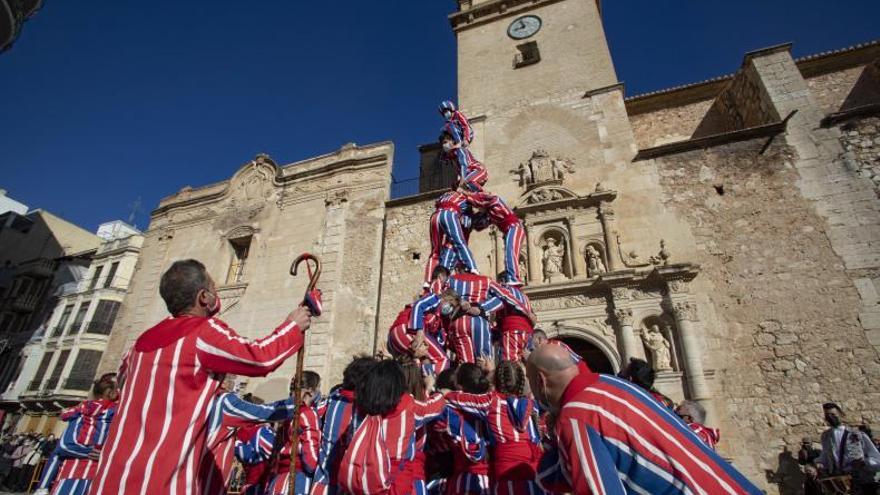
point(726, 231)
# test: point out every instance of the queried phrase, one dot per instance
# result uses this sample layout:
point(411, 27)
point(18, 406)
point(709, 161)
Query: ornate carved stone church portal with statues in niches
point(582, 282)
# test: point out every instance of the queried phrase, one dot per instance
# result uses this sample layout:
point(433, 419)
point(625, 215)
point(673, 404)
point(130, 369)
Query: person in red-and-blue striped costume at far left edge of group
point(79, 446)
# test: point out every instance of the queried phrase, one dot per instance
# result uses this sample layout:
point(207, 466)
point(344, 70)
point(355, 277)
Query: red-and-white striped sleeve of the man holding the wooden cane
point(221, 350)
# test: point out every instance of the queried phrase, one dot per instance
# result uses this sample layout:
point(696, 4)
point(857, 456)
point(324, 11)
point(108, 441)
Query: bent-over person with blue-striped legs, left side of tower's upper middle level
point(449, 228)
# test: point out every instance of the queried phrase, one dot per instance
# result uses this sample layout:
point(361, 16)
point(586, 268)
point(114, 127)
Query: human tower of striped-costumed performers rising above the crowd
point(450, 321)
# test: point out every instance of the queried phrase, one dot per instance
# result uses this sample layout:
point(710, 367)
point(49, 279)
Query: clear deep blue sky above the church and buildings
point(114, 101)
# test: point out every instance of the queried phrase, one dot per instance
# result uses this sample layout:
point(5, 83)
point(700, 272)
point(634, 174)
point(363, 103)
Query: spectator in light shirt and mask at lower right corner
point(848, 451)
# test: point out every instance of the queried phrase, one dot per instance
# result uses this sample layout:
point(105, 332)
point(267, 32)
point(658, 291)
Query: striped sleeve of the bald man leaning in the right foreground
point(591, 468)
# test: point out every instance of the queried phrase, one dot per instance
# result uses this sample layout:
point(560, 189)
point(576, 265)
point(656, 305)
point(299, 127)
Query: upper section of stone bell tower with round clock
point(514, 50)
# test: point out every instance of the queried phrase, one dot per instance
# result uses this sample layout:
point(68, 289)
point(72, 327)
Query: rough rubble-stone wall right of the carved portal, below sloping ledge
point(787, 330)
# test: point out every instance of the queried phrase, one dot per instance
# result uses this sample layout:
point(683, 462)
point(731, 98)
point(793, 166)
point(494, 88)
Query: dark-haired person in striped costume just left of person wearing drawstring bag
point(339, 422)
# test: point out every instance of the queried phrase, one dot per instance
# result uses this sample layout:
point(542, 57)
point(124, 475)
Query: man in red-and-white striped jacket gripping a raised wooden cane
point(170, 376)
